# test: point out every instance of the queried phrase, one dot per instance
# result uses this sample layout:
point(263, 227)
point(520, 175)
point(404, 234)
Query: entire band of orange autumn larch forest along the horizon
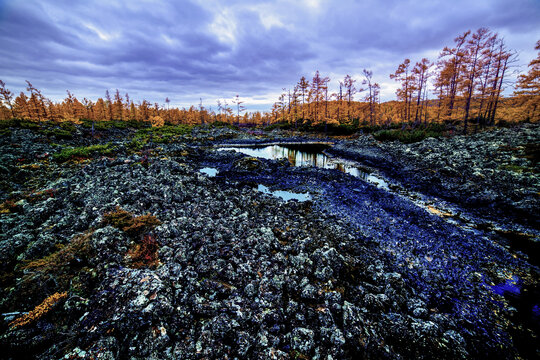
point(463, 85)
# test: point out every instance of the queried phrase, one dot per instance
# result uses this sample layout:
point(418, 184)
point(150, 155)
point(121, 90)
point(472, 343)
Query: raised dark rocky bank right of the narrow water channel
point(495, 172)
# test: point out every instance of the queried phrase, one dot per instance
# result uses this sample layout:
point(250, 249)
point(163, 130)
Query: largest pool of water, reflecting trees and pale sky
point(307, 155)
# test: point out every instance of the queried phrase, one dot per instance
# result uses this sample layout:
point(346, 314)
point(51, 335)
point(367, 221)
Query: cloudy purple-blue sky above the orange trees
point(210, 49)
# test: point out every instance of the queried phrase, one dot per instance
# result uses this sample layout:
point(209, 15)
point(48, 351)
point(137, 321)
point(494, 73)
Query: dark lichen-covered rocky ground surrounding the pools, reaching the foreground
point(134, 253)
